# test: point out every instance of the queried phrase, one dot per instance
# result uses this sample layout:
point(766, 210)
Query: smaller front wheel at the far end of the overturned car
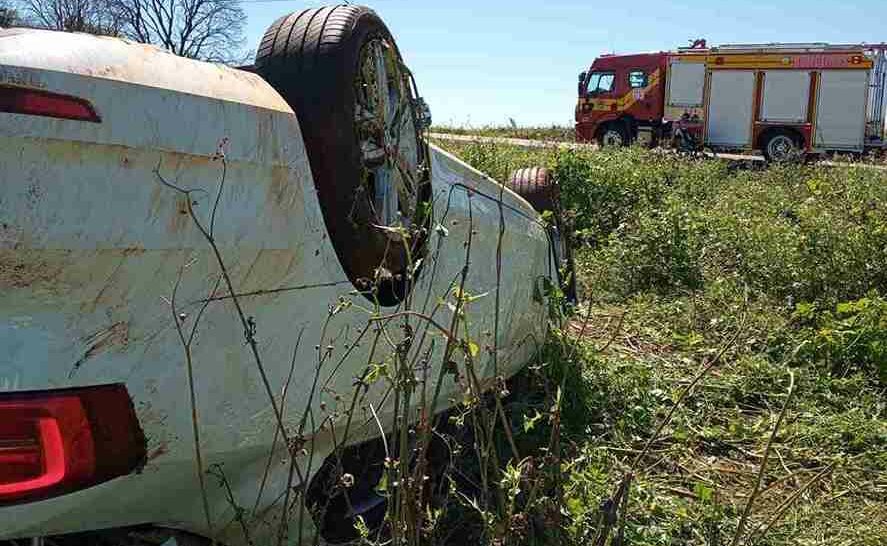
point(538, 186)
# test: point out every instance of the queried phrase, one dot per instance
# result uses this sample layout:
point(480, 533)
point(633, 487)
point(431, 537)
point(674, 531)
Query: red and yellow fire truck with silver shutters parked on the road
point(785, 100)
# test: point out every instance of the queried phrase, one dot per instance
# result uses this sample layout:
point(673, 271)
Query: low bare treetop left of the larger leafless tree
point(92, 16)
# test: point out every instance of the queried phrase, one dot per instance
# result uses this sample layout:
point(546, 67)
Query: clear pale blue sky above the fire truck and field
point(481, 62)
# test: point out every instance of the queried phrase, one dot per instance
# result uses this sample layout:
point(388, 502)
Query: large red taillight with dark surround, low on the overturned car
point(60, 441)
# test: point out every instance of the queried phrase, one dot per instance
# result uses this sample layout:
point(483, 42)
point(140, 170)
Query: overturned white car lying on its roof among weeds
point(194, 260)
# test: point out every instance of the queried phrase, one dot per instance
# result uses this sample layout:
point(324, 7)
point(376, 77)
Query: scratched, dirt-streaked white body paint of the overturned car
point(92, 246)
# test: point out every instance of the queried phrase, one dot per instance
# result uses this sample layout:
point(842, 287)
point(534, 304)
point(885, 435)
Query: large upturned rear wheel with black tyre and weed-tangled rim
point(362, 124)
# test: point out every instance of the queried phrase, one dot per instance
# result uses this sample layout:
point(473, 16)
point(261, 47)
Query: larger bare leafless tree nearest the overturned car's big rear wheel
point(201, 29)
